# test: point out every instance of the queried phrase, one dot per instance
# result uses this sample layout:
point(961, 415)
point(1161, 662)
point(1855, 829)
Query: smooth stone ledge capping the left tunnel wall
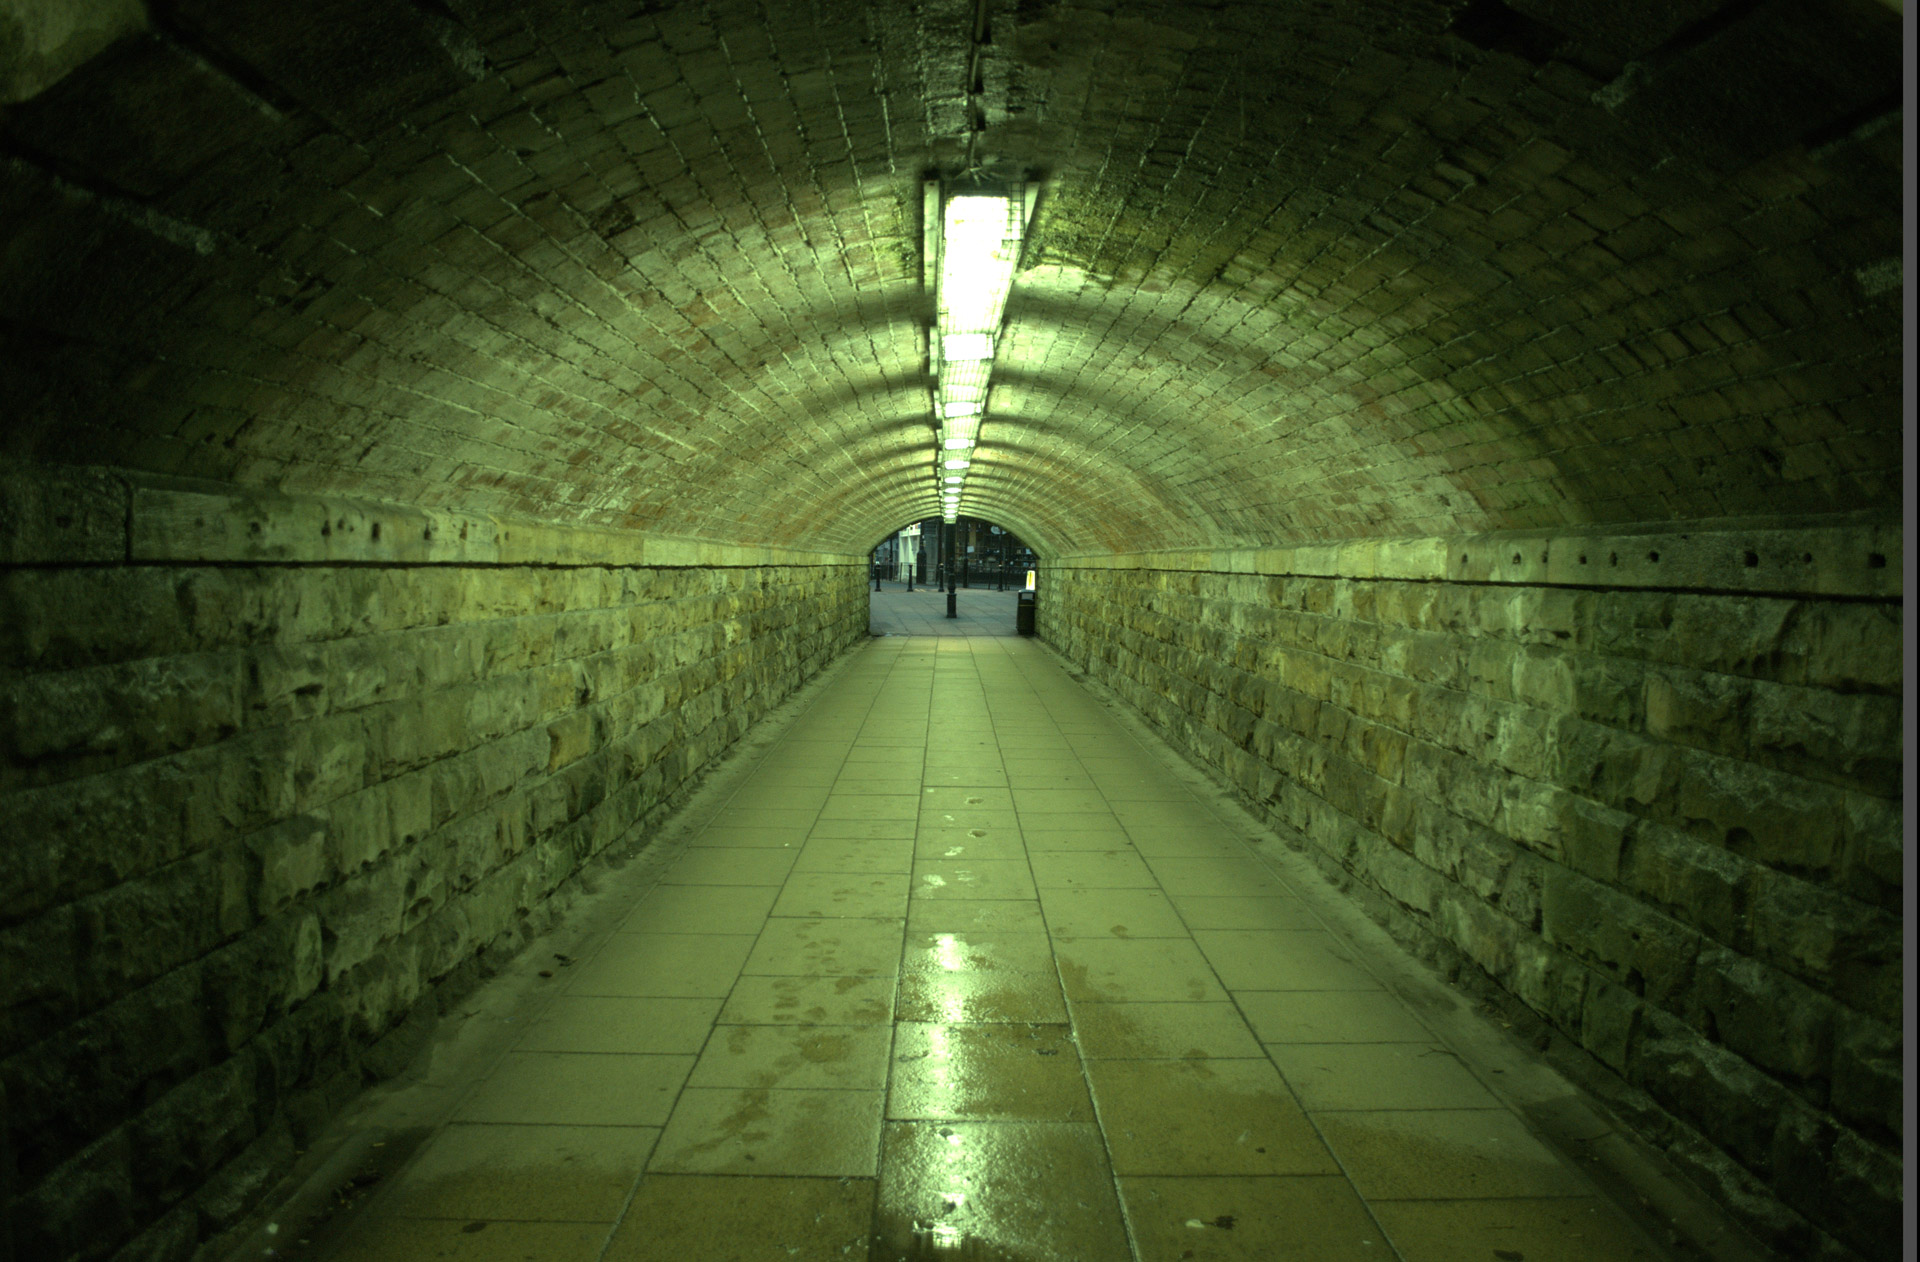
point(105, 516)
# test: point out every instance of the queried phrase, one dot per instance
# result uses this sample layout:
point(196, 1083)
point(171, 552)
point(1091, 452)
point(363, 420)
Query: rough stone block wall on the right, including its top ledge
point(1646, 785)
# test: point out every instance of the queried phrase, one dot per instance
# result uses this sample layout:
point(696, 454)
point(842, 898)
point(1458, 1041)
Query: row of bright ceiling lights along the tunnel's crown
point(978, 251)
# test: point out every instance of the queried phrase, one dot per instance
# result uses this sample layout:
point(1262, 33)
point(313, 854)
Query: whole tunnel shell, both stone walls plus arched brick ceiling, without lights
point(435, 431)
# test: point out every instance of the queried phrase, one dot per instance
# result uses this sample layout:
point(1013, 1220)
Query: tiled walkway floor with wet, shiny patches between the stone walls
point(965, 971)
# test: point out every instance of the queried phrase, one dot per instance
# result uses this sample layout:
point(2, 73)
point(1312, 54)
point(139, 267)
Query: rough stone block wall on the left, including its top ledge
point(274, 771)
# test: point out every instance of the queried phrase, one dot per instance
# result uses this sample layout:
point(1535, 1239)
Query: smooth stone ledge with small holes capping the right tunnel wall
point(1854, 558)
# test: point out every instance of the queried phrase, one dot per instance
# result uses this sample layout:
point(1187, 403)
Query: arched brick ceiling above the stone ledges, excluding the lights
point(1297, 272)
